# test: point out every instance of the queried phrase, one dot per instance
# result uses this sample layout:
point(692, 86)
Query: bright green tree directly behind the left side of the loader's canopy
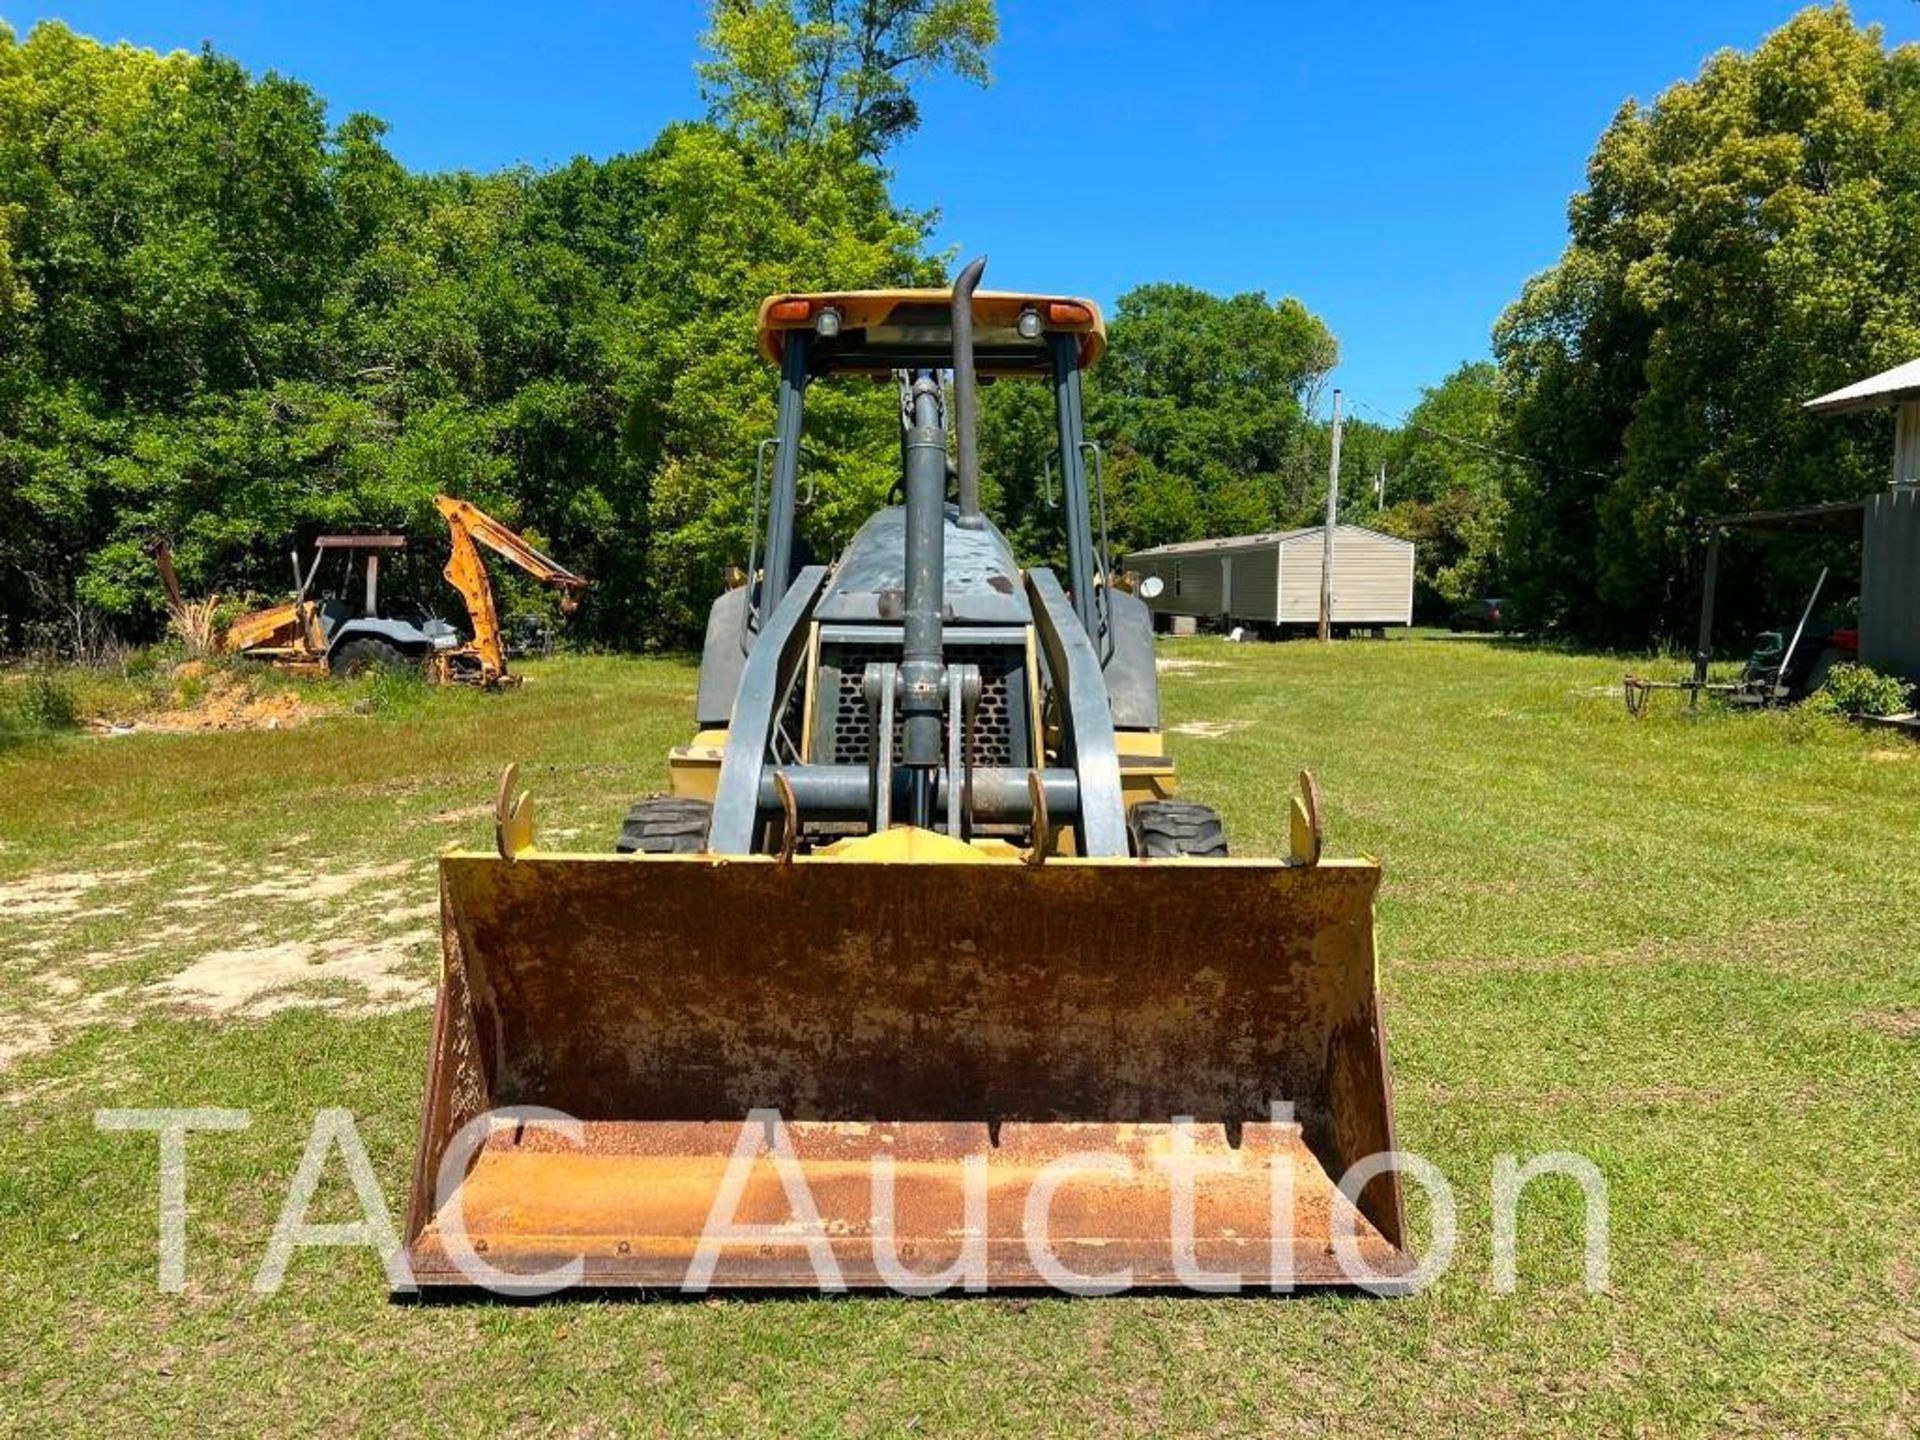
point(698, 395)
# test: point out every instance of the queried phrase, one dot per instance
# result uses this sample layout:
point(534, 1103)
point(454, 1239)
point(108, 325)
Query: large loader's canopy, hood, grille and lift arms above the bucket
point(951, 692)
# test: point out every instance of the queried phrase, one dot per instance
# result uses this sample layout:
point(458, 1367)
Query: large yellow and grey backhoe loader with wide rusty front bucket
point(921, 976)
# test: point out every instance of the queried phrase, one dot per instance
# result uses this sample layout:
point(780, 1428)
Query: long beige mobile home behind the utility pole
point(1272, 581)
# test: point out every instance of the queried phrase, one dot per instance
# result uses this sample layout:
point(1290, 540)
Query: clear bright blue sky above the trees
point(1403, 168)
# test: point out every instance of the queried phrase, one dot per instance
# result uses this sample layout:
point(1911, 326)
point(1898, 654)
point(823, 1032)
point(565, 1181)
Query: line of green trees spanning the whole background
point(229, 320)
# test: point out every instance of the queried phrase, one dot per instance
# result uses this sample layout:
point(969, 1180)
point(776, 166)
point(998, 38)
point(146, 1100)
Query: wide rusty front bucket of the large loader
point(969, 1074)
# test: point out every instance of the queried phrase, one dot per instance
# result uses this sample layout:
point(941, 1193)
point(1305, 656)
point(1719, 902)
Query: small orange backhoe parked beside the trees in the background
point(335, 623)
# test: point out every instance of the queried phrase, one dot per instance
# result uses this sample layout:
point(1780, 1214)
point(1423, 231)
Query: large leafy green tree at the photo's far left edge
point(174, 228)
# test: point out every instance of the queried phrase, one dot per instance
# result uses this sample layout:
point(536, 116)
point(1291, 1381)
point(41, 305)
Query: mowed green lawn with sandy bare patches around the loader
point(1685, 948)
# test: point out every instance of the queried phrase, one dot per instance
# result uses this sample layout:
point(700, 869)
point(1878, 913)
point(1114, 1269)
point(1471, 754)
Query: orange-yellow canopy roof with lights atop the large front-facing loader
point(884, 331)
